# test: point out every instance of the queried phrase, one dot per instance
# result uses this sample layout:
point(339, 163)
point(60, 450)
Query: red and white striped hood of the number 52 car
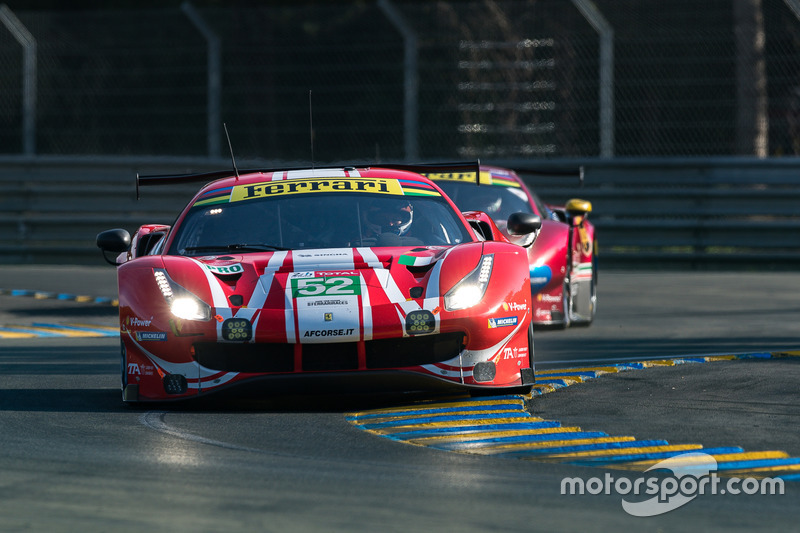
point(318, 295)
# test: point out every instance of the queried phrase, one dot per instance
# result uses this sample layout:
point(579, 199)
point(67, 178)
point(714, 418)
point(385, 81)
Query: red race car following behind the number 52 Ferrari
point(563, 256)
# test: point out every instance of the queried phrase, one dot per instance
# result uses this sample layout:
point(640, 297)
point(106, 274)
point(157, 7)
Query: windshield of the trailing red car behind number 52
point(497, 202)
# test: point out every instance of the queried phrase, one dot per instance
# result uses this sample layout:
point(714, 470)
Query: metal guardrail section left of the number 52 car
point(51, 209)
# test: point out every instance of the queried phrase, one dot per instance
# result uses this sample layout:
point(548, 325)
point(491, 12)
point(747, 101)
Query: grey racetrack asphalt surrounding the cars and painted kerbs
point(75, 458)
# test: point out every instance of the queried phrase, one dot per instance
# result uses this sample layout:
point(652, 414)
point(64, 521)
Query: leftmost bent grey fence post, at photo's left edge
point(28, 43)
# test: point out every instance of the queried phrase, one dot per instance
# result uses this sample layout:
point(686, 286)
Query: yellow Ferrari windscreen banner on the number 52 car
point(302, 186)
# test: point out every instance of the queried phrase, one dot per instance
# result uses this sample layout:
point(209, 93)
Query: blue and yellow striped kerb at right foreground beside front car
point(501, 426)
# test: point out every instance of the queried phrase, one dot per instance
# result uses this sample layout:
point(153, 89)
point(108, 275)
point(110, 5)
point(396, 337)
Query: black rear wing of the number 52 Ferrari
point(205, 177)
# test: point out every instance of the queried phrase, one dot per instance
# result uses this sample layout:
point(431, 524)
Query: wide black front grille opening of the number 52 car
point(327, 357)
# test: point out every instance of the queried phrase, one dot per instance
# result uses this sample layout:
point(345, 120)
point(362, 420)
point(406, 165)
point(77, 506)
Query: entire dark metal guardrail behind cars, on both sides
point(692, 213)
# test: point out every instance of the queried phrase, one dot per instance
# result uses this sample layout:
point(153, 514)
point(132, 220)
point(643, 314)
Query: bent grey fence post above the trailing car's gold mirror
point(601, 25)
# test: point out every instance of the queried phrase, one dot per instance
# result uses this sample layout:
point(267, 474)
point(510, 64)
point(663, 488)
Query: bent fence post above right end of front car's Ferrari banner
point(410, 81)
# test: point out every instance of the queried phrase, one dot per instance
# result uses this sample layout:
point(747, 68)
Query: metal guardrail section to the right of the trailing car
point(696, 213)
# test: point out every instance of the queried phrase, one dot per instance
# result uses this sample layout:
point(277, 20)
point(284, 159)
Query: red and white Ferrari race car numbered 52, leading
point(298, 277)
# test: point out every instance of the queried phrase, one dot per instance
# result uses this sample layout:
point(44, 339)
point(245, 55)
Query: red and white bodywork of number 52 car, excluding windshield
point(346, 312)
